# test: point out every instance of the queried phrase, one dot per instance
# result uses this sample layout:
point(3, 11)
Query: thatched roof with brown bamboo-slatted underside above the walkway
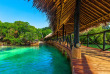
point(59, 12)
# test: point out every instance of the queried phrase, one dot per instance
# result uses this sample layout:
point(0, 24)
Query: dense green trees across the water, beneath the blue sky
point(21, 33)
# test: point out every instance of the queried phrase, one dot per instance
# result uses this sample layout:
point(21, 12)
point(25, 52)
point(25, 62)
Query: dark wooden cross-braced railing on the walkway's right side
point(104, 39)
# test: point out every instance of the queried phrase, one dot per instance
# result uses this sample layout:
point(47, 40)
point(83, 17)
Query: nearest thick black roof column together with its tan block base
point(76, 51)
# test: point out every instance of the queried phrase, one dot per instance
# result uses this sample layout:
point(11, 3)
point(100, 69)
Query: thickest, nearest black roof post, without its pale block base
point(76, 22)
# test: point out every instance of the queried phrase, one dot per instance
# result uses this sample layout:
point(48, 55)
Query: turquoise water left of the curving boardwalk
point(44, 59)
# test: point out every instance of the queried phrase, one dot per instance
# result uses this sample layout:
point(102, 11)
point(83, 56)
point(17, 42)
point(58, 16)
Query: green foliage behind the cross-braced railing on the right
point(98, 38)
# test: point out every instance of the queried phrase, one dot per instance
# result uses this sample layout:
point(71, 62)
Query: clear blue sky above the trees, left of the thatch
point(22, 10)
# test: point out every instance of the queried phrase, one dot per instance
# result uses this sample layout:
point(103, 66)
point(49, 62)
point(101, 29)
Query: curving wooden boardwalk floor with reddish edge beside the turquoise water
point(94, 61)
